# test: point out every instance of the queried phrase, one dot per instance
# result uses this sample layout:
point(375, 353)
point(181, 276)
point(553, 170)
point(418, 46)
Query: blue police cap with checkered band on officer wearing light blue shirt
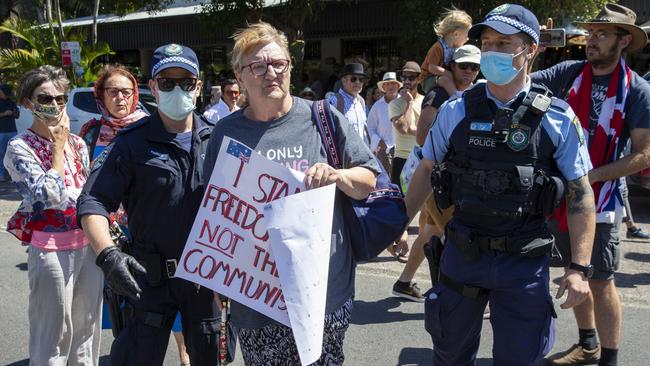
point(508, 19)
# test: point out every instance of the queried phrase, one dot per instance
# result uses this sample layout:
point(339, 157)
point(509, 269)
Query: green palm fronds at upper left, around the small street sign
point(42, 47)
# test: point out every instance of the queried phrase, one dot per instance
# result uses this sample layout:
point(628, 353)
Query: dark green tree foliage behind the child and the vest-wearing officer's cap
point(417, 17)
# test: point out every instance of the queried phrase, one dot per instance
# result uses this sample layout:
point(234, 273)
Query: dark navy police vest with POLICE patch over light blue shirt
point(502, 173)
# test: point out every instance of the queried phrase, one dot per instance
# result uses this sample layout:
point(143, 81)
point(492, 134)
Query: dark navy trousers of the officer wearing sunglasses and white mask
point(148, 323)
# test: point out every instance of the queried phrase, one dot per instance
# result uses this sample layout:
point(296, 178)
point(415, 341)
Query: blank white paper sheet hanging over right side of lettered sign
point(302, 249)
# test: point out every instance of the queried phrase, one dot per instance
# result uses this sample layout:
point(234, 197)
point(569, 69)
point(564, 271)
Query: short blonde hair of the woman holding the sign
point(253, 36)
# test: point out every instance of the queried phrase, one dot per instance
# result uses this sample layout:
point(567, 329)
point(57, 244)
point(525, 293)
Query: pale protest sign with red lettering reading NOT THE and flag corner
point(228, 248)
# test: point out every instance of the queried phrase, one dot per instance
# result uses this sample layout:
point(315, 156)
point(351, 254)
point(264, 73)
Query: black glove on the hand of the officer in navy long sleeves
point(117, 267)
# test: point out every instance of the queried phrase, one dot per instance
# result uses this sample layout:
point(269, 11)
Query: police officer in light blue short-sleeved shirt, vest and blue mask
point(502, 155)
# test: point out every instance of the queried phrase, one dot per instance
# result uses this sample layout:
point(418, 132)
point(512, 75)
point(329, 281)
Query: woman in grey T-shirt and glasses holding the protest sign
point(279, 126)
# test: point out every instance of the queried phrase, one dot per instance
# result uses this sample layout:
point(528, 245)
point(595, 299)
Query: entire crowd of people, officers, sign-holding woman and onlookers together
point(509, 174)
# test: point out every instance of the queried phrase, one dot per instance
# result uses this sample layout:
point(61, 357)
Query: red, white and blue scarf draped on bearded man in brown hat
point(606, 138)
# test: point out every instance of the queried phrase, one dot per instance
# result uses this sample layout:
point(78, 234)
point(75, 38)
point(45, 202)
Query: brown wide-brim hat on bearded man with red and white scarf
point(621, 17)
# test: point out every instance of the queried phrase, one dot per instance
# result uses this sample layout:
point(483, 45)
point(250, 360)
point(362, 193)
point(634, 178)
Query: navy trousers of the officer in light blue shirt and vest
point(521, 309)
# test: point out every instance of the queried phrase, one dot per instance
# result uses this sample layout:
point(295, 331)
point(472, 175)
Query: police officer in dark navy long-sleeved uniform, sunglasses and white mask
point(155, 170)
